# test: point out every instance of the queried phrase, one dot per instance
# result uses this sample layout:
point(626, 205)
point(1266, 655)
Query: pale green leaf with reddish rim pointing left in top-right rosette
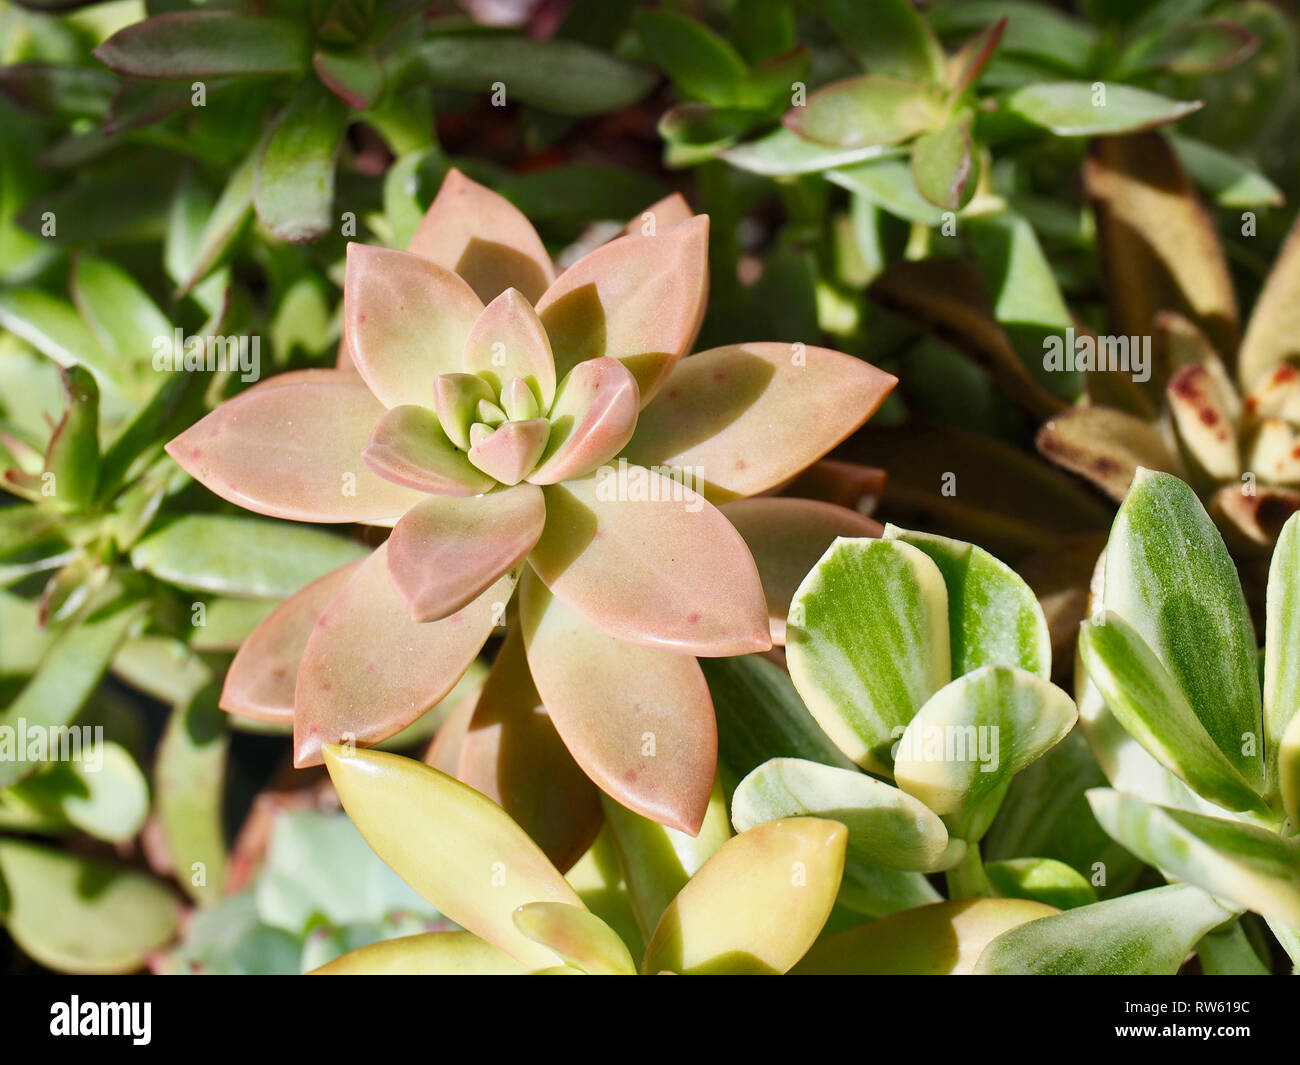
point(869, 110)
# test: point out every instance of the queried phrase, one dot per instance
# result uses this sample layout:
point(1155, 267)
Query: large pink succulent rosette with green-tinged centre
point(500, 415)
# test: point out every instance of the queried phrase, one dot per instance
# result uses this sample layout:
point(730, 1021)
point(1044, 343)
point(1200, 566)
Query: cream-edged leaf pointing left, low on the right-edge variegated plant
point(1251, 867)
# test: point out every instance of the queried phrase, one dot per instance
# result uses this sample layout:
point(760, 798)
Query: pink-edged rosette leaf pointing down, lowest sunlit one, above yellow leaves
point(606, 698)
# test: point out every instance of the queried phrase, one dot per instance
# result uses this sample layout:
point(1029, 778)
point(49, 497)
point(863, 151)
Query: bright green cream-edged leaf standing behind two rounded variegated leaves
point(994, 618)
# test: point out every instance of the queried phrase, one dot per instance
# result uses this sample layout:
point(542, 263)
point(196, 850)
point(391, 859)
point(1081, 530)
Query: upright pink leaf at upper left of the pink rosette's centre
point(406, 321)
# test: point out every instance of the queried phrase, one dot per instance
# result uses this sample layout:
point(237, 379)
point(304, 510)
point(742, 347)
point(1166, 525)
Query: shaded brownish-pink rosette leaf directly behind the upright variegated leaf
point(787, 538)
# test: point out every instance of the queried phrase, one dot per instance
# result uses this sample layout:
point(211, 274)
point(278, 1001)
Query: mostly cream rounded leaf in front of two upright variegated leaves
point(974, 735)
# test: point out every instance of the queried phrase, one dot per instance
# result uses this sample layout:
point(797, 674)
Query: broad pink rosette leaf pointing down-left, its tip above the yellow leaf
point(369, 670)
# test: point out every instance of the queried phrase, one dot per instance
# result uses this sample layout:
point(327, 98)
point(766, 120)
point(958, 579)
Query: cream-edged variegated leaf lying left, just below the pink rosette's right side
point(886, 825)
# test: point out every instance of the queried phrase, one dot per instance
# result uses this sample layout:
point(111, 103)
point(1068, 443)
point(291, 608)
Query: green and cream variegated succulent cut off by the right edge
point(1199, 738)
